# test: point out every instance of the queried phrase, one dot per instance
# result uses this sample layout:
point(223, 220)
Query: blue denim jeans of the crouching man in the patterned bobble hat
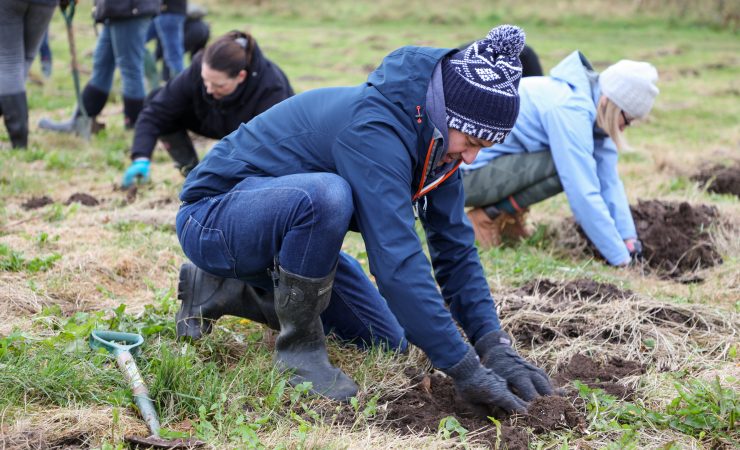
point(301, 220)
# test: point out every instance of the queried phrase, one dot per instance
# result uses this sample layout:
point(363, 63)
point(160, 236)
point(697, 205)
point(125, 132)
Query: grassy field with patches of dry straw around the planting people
point(67, 268)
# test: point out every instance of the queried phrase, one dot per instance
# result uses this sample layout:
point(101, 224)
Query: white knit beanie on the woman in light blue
point(631, 85)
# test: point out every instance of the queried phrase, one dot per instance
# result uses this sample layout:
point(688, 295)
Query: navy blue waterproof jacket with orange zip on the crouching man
point(377, 137)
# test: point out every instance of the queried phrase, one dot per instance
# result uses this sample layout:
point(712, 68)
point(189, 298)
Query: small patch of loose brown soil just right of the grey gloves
point(600, 375)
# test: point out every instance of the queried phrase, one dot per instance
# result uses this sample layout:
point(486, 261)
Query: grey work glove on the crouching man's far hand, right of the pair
point(525, 379)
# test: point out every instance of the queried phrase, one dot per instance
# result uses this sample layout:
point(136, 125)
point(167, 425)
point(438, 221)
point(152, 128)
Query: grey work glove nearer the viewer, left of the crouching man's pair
point(482, 388)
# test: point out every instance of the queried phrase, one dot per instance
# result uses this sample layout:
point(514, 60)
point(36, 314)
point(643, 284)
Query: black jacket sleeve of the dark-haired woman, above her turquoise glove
point(163, 111)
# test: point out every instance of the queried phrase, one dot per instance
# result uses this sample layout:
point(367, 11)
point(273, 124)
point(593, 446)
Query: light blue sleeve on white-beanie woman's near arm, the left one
point(570, 132)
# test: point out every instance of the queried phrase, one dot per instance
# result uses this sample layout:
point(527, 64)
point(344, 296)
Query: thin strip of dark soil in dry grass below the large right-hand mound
point(580, 289)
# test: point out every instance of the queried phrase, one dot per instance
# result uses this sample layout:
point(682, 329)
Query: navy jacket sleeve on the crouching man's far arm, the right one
point(455, 259)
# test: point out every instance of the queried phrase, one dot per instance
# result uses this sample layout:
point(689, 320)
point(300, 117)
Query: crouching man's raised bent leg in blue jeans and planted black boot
point(292, 226)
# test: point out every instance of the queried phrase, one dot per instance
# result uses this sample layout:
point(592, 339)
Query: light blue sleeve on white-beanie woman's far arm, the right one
point(612, 189)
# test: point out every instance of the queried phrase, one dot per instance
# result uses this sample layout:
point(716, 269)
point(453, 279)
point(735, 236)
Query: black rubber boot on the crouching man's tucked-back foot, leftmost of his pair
point(206, 297)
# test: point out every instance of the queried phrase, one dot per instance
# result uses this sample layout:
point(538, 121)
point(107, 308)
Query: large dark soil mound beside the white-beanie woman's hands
point(675, 236)
